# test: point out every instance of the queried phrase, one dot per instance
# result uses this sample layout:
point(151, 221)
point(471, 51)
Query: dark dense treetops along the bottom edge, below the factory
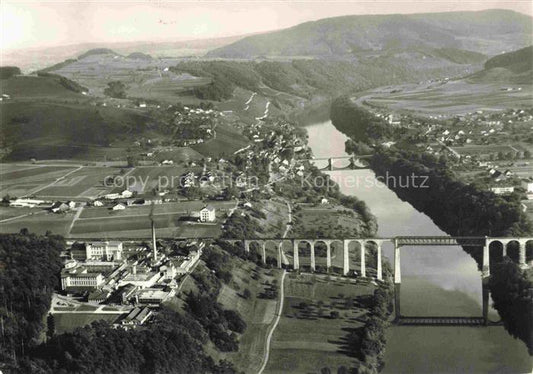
point(171, 344)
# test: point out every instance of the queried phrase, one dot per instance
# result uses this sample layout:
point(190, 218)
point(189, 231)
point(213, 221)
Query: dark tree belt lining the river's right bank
point(455, 207)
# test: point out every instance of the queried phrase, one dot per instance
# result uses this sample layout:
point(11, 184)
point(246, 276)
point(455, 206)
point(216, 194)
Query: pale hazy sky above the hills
point(35, 24)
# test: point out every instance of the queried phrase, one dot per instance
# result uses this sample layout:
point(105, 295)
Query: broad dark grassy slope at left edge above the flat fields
point(46, 120)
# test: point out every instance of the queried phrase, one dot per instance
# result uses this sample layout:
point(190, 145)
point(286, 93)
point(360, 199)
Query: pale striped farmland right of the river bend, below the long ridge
point(448, 99)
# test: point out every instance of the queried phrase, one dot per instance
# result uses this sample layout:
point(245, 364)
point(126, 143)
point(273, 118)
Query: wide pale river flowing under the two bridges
point(438, 281)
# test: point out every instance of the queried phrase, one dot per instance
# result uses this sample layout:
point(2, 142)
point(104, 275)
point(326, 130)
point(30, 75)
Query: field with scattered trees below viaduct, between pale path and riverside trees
point(309, 336)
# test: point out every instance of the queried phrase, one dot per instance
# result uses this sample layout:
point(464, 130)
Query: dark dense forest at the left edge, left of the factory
point(29, 272)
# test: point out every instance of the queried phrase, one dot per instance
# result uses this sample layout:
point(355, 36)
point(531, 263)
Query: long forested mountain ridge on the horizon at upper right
point(489, 32)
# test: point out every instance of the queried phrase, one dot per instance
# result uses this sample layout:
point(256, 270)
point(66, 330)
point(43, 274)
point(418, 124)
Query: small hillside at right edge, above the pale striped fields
point(511, 68)
